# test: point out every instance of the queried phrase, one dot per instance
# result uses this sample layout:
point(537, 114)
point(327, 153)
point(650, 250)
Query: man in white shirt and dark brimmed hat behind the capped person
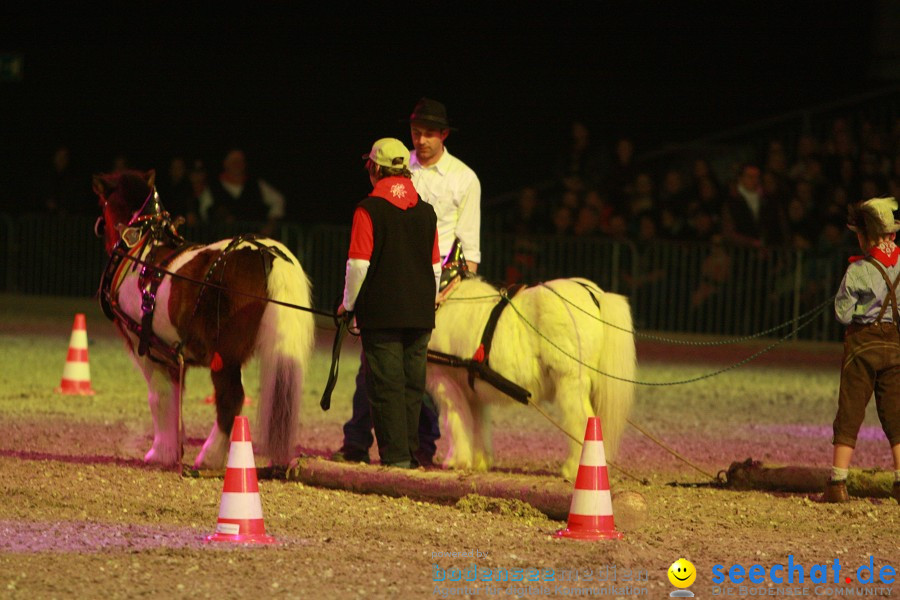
point(453, 190)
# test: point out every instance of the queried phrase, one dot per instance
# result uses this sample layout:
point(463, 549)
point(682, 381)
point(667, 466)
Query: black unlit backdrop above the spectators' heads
point(305, 88)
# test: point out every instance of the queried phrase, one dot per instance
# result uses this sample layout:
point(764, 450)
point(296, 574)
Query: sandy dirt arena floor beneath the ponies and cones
point(82, 517)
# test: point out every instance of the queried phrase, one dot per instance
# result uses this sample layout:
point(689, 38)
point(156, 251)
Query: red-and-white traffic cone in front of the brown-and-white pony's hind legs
point(240, 512)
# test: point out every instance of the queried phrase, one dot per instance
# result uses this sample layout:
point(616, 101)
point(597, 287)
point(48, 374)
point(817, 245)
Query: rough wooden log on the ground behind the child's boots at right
point(752, 475)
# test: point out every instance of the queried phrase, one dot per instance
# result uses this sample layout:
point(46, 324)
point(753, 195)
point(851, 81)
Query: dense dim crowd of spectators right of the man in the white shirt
point(787, 197)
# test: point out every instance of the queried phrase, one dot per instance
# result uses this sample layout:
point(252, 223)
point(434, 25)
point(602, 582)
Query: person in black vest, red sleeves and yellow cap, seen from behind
point(393, 272)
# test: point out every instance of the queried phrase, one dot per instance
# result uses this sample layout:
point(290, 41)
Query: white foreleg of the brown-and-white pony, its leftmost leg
point(164, 398)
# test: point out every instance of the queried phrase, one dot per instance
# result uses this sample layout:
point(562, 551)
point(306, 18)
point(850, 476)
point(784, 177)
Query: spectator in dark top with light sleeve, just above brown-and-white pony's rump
point(239, 196)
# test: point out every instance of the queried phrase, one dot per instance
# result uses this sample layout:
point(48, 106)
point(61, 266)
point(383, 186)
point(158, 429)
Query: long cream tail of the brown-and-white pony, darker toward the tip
point(284, 345)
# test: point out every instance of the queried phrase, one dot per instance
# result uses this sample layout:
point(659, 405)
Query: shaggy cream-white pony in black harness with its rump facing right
point(559, 340)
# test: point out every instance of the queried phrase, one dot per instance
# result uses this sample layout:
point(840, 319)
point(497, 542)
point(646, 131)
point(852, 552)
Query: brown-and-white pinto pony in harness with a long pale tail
point(216, 328)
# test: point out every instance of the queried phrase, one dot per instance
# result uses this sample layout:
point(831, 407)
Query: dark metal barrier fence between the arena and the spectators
point(674, 287)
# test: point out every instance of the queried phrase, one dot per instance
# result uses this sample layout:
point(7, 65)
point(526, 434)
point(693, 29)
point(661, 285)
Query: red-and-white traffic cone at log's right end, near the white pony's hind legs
point(590, 515)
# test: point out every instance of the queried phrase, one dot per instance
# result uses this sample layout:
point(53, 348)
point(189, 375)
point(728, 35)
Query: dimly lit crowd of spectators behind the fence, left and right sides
point(786, 197)
